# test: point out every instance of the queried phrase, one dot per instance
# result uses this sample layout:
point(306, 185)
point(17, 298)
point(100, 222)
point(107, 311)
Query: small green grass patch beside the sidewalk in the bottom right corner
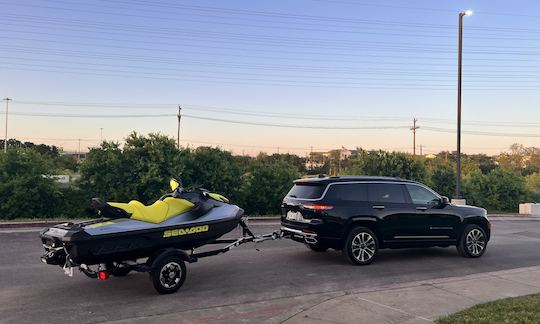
point(525, 309)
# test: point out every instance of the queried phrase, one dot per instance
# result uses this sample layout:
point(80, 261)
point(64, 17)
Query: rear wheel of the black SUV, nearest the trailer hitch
point(361, 246)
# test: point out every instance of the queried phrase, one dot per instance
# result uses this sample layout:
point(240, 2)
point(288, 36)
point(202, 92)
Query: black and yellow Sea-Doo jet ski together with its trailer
point(158, 239)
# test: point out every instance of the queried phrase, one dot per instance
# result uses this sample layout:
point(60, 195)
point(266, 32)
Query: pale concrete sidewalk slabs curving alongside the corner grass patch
point(422, 302)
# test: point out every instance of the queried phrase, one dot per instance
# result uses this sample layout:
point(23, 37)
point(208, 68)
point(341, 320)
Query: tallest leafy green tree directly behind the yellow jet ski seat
point(140, 171)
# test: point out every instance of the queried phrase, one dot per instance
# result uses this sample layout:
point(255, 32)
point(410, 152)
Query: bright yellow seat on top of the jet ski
point(156, 213)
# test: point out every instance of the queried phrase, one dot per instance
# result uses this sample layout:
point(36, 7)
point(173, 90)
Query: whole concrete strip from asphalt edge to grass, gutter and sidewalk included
point(414, 302)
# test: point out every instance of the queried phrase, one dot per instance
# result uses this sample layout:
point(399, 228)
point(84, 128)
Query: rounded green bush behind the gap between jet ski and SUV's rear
point(265, 184)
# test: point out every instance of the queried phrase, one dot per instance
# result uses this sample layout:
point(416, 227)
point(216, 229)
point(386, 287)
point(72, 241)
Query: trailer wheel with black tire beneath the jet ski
point(168, 274)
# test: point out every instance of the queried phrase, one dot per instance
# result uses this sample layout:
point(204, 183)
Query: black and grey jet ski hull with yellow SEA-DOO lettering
point(106, 240)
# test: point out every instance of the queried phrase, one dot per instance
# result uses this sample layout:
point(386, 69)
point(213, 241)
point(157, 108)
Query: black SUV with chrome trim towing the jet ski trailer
point(360, 215)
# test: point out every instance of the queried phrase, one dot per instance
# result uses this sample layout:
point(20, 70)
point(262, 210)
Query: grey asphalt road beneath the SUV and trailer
point(33, 292)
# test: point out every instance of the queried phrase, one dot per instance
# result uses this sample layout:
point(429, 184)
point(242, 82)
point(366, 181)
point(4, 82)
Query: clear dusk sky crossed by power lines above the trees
point(261, 75)
